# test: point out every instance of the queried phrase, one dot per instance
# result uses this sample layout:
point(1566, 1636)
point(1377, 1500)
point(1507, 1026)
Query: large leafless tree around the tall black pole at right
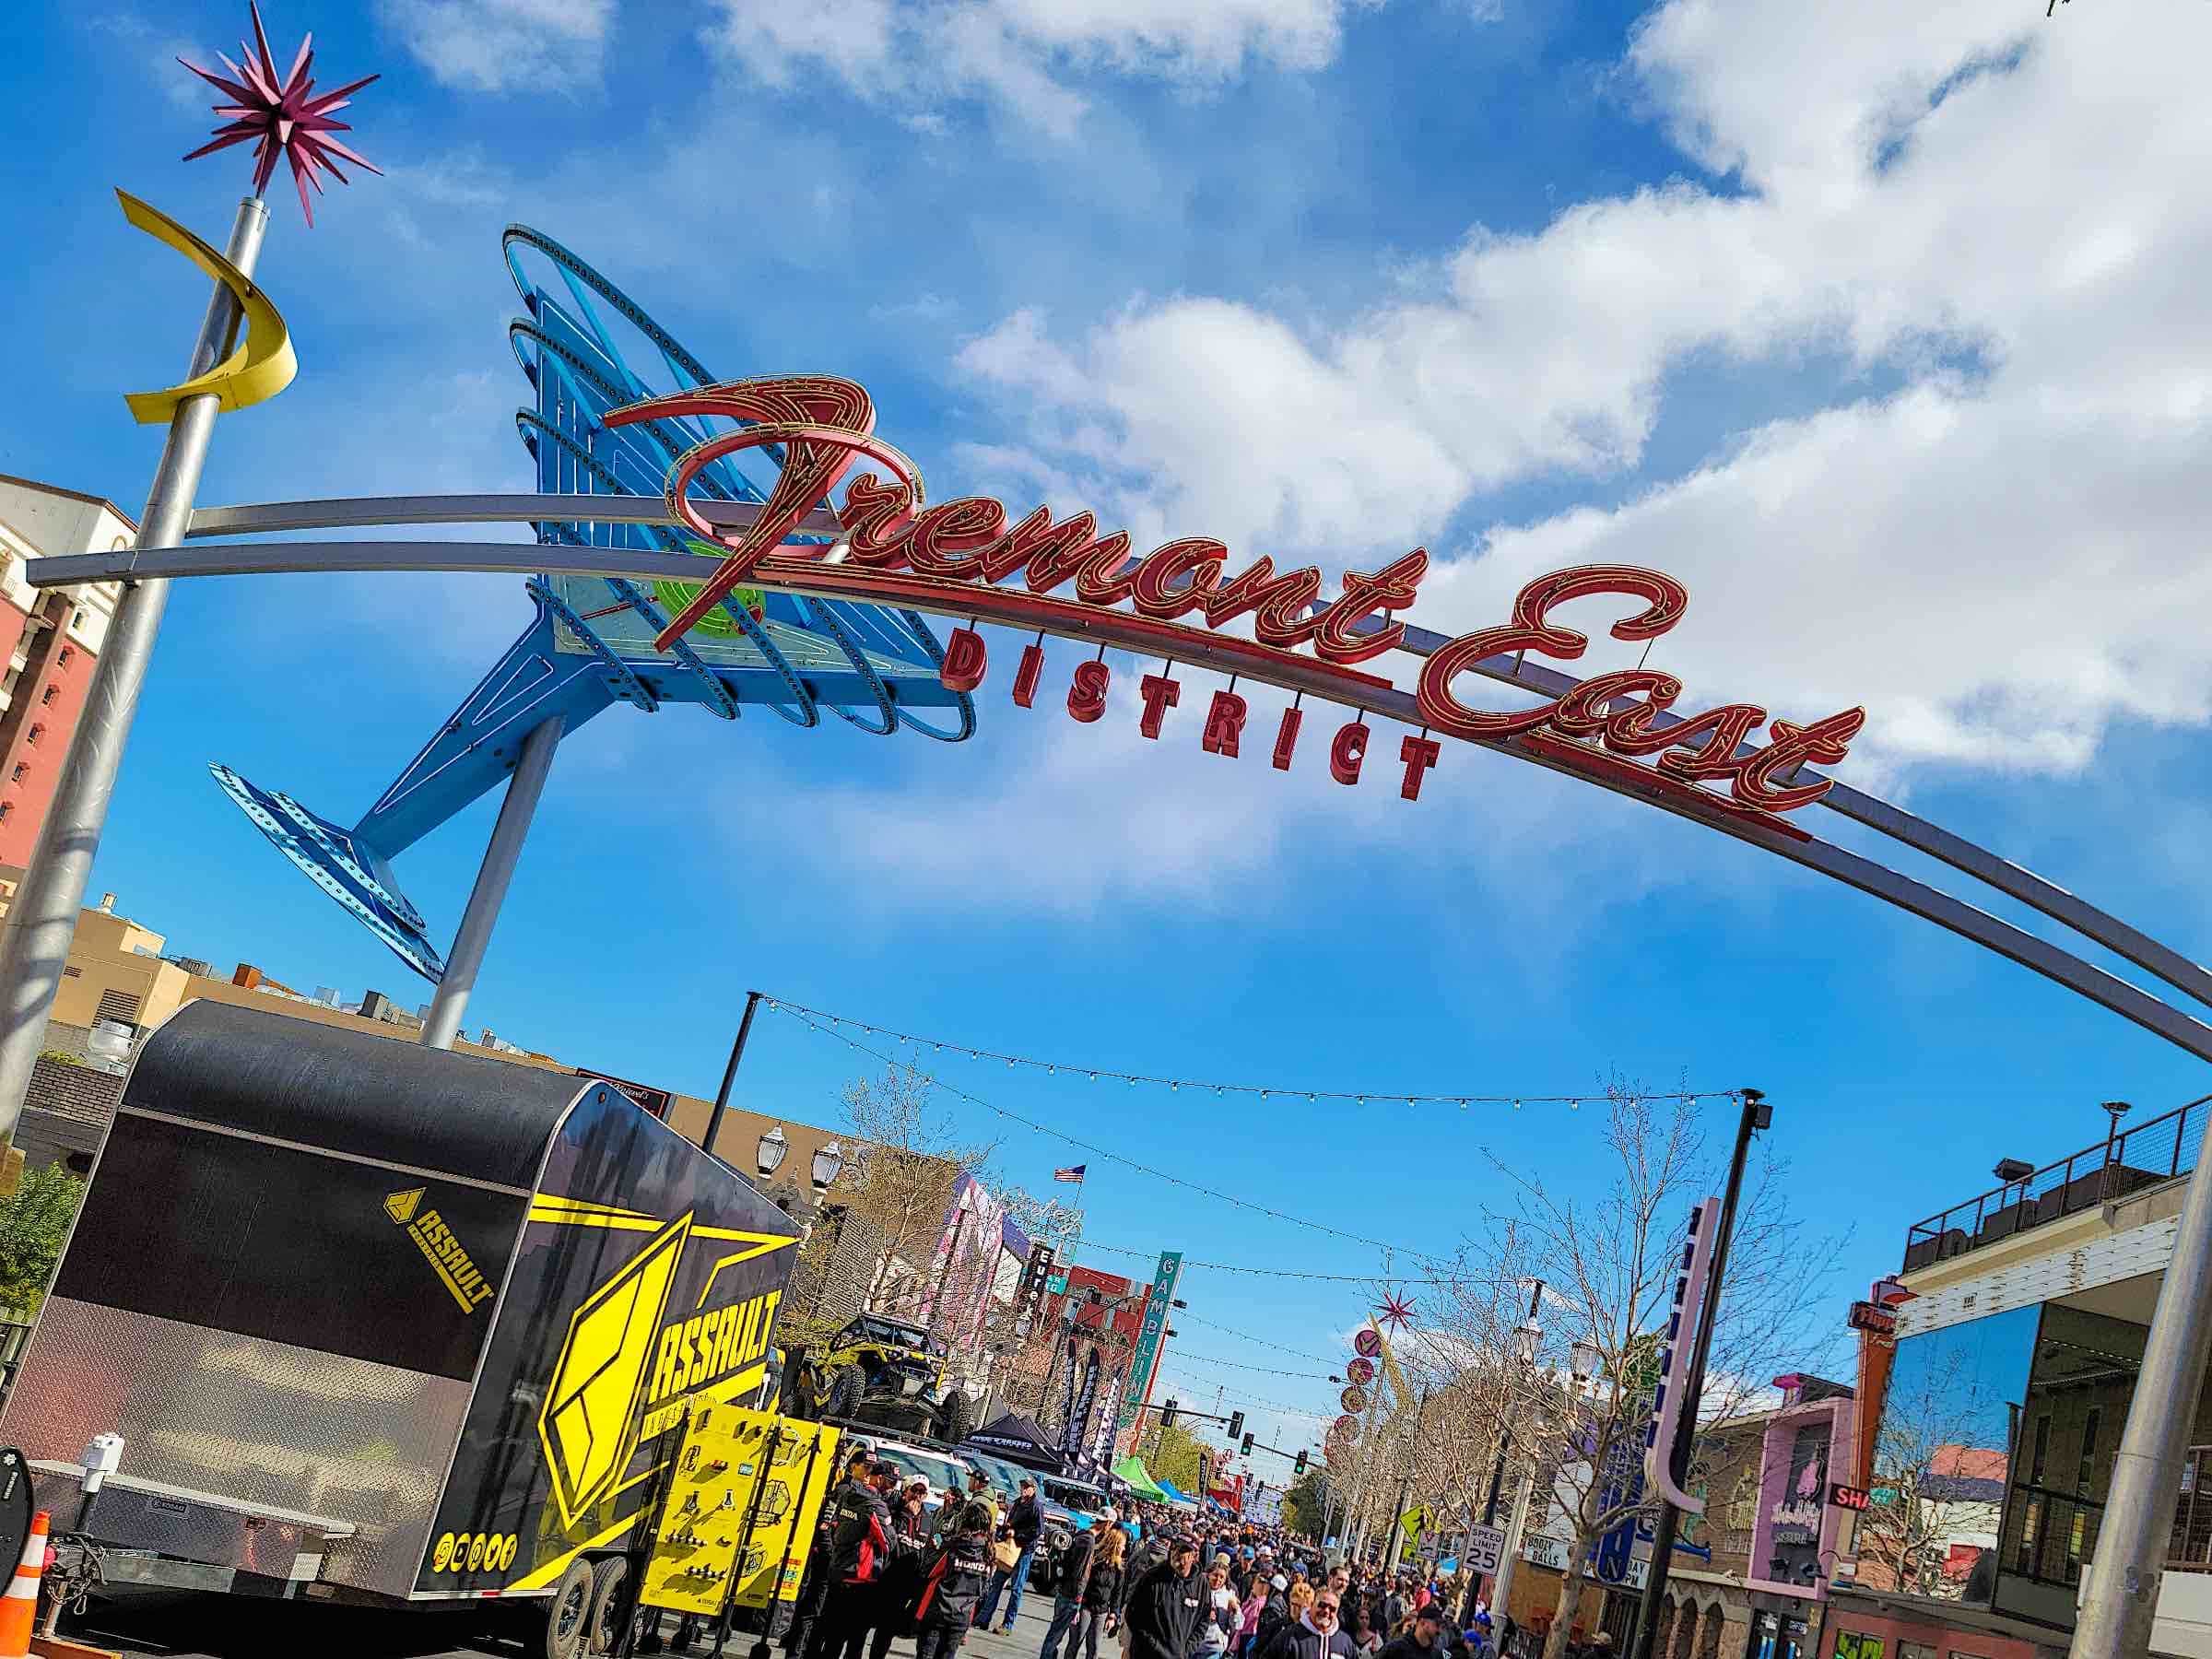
point(1609, 1266)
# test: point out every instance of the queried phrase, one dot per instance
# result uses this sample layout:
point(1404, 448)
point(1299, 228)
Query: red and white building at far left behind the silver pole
point(52, 640)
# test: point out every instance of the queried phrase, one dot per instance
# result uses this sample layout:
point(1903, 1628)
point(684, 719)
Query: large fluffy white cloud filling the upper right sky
point(1999, 559)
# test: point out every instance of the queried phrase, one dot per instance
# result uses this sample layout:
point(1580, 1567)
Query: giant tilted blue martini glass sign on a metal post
point(589, 643)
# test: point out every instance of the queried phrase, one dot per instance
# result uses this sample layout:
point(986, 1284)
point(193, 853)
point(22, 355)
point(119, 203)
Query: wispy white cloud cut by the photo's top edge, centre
point(1019, 52)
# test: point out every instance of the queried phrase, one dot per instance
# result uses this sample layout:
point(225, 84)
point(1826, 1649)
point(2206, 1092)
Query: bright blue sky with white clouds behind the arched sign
point(1886, 337)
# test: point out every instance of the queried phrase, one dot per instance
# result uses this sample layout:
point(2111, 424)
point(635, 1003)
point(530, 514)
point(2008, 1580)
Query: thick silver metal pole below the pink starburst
point(43, 917)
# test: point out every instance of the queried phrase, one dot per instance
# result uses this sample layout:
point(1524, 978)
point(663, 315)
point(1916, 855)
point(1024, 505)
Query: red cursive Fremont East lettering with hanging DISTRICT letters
point(963, 559)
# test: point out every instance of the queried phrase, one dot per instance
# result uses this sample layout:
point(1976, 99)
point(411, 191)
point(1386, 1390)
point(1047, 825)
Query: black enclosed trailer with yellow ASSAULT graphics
point(379, 1322)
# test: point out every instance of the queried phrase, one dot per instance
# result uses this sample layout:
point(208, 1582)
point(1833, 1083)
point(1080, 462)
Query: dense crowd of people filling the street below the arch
point(1147, 1583)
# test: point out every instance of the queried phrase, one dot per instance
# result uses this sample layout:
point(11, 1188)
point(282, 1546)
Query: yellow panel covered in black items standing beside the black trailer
point(740, 1514)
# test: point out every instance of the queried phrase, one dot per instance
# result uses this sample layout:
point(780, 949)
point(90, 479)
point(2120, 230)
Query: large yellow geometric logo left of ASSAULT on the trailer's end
point(589, 1419)
